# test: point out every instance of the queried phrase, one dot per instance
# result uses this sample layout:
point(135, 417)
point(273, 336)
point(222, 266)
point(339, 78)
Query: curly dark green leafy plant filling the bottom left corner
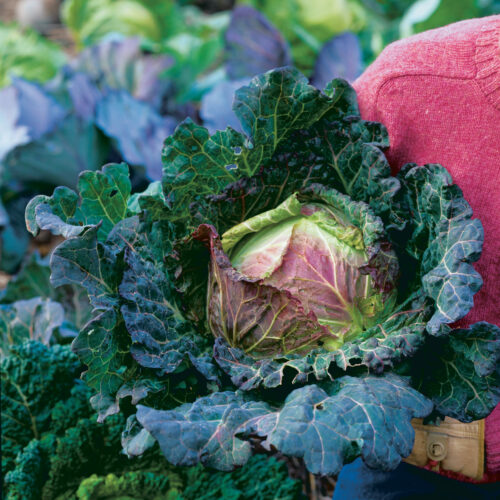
point(53, 447)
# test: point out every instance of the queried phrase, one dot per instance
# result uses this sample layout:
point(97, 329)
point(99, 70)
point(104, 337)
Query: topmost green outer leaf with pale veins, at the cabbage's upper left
point(273, 105)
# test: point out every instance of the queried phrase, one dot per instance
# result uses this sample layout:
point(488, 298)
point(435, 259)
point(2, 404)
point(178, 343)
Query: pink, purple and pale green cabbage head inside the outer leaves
point(312, 272)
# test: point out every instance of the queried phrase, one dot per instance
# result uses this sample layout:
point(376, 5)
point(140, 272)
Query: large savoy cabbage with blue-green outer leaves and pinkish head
point(318, 325)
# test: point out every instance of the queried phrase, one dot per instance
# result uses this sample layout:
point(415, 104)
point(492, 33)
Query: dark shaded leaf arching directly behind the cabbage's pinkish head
point(338, 151)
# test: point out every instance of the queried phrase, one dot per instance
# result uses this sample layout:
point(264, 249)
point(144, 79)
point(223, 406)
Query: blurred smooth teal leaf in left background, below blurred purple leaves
point(58, 157)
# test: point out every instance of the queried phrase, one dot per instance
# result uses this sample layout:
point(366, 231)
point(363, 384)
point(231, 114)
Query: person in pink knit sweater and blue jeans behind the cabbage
point(438, 94)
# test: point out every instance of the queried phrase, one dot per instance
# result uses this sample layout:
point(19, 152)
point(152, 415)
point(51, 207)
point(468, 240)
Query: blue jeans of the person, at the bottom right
point(358, 482)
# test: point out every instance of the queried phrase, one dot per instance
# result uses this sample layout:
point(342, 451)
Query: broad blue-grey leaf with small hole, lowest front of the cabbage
point(331, 425)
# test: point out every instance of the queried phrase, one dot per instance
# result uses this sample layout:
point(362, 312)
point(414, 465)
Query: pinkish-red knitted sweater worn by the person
point(438, 94)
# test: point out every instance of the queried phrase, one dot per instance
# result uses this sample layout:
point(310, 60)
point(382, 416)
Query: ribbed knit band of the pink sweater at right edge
point(487, 60)
